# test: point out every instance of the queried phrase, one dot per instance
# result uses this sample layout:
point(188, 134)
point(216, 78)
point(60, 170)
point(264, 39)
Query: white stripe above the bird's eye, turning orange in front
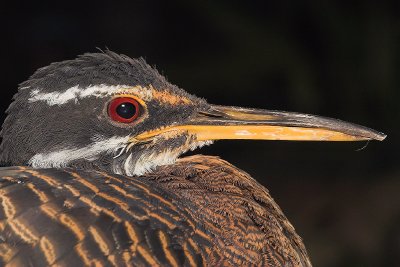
point(75, 93)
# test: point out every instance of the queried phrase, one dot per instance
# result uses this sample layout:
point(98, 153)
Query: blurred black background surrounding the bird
point(333, 58)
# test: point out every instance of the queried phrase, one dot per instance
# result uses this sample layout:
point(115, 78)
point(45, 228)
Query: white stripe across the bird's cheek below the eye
point(61, 158)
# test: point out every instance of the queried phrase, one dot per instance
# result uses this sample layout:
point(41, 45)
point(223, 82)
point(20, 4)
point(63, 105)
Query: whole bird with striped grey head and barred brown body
point(93, 172)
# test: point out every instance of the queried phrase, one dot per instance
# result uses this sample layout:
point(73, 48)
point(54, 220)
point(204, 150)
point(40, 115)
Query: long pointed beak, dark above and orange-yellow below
point(222, 122)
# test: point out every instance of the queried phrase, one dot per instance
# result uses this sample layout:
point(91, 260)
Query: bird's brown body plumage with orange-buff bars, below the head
point(200, 211)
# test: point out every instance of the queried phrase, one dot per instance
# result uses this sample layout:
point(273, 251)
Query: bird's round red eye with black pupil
point(123, 109)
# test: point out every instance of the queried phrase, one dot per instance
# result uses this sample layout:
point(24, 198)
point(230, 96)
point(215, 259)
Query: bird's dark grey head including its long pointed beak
point(110, 112)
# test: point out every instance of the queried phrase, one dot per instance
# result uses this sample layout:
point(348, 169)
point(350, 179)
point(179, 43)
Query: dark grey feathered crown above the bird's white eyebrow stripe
point(95, 68)
